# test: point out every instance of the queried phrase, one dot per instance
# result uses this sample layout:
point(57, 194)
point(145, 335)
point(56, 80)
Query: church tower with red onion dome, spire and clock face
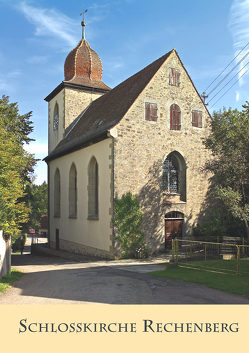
point(82, 84)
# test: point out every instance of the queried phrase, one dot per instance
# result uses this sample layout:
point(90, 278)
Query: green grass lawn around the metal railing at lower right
point(228, 282)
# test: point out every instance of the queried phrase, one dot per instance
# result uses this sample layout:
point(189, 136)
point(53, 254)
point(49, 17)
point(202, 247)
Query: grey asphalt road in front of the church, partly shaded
point(60, 281)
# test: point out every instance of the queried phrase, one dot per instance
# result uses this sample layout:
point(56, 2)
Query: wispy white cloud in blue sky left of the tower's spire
point(51, 23)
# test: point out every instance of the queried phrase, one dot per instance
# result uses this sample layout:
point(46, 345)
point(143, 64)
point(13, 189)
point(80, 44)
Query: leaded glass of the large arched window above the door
point(171, 175)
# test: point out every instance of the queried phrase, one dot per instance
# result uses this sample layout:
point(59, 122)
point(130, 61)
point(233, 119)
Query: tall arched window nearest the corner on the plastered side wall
point(93, 207)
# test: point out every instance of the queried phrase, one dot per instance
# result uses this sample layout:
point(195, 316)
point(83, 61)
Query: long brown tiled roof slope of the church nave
point(106, 111)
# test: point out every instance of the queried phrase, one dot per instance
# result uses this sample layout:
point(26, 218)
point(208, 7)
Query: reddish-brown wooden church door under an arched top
point(173, 227)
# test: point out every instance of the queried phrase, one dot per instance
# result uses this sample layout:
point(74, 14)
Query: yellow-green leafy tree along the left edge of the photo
point(16, 167)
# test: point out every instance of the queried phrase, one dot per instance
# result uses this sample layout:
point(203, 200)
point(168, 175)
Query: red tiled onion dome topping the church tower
point(83, 66)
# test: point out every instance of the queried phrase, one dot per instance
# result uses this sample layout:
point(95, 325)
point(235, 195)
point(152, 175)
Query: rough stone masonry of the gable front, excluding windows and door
point(141, 147)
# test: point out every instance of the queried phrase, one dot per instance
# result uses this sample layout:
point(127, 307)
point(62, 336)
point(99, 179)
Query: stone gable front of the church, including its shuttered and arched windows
point(158, 150)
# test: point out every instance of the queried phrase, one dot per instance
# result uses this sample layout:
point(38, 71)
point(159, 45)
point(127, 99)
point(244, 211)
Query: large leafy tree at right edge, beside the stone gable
point(229, 144)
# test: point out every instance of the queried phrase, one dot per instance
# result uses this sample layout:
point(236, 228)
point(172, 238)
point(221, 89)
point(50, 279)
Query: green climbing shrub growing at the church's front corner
point(128, 219)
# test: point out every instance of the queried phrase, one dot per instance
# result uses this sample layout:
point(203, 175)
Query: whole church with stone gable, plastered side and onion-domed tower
point(143, 136)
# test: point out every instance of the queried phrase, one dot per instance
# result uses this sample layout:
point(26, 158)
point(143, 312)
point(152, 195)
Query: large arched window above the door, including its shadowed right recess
point(174, 175)
